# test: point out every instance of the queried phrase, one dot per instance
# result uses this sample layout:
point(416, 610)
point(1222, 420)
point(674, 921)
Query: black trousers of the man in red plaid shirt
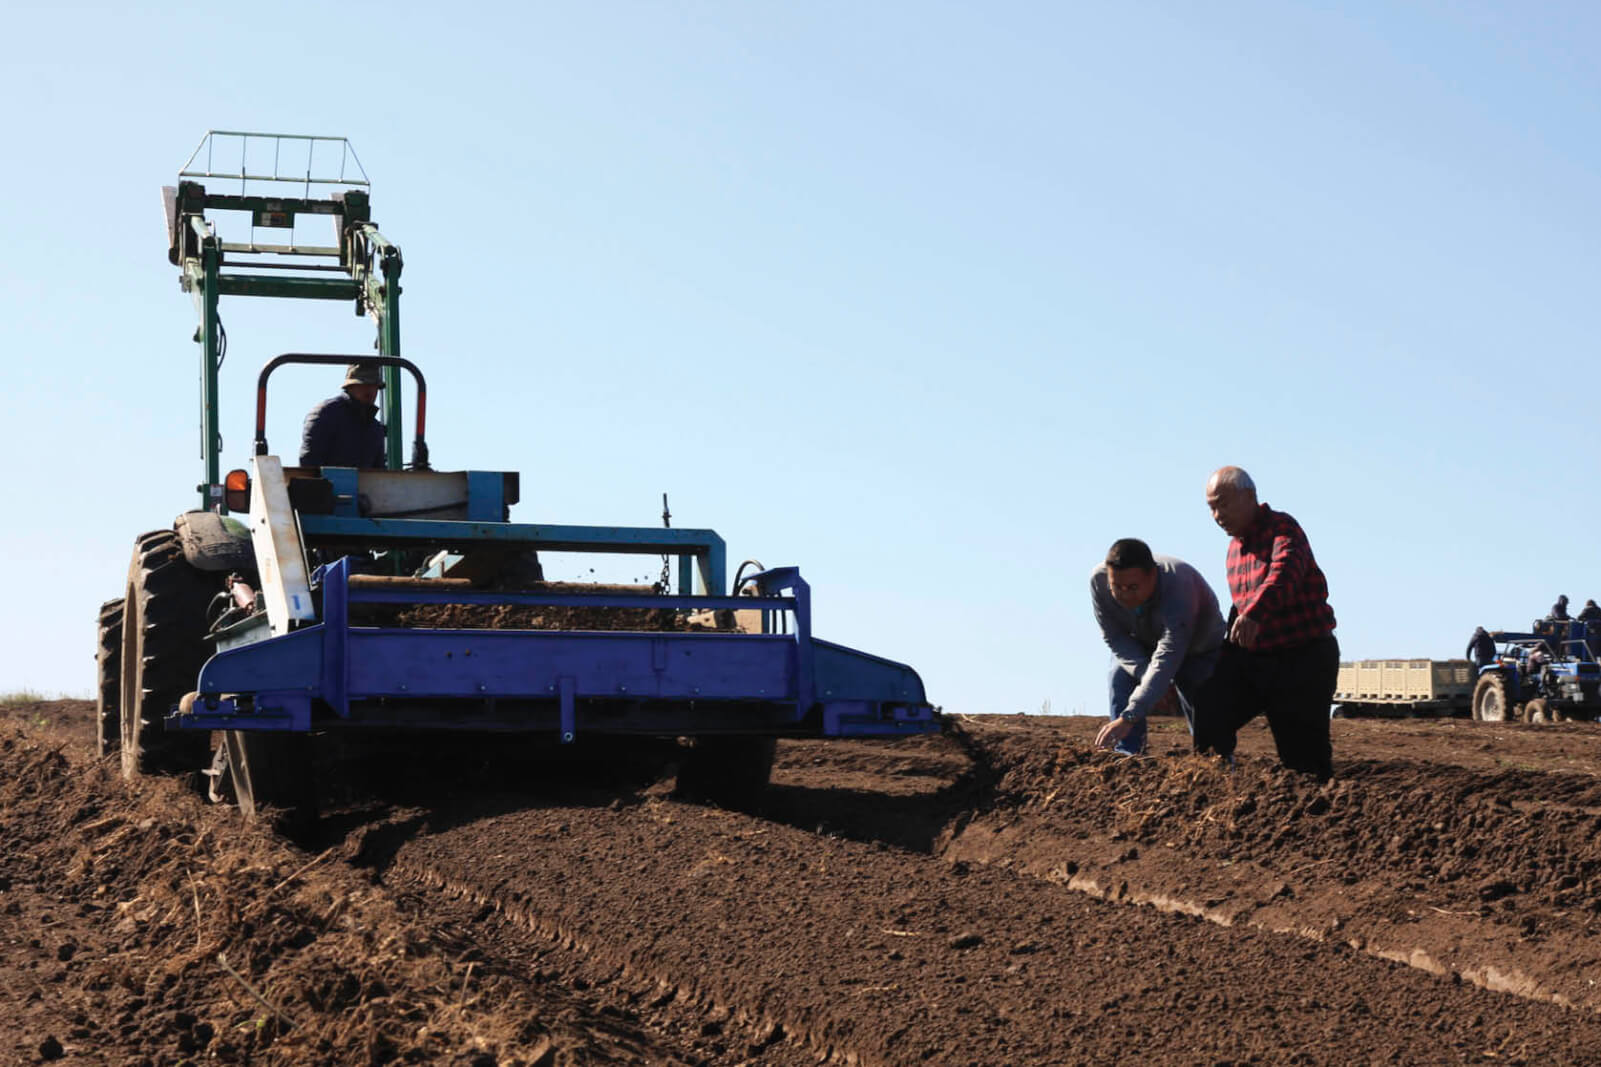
point(1294, 688)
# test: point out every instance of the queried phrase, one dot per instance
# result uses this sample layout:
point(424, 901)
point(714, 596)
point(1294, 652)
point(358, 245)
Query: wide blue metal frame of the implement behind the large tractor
point(337, 675)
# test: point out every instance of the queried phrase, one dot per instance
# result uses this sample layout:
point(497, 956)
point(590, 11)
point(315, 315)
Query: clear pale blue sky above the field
point(931, 300)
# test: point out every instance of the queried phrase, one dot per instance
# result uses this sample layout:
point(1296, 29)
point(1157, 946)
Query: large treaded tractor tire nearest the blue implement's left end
point(163, 651)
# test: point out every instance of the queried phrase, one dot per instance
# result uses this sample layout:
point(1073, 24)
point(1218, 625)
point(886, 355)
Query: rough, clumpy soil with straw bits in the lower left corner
point(119, 904)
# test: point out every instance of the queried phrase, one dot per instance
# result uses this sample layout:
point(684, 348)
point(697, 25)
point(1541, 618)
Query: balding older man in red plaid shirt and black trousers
point(1280, 656)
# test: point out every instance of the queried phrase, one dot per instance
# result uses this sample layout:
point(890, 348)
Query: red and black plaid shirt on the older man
point(1277, 582)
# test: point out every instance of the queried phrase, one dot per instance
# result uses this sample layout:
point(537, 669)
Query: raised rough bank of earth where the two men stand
point(1490, 871)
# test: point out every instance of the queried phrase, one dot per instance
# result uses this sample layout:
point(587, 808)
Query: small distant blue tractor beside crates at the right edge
point(1546, 675)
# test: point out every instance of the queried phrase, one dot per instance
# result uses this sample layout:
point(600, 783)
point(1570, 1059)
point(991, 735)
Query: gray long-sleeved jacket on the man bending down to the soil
point(1181, 622)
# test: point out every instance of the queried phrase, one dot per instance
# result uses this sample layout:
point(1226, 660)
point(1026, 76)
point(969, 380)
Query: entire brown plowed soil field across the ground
point(1000, 895)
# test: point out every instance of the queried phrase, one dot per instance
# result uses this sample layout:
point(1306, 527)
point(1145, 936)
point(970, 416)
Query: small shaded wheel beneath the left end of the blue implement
point(268, 773)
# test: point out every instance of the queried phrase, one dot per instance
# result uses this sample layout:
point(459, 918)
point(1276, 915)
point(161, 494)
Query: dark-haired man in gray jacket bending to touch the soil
point(1163, 626)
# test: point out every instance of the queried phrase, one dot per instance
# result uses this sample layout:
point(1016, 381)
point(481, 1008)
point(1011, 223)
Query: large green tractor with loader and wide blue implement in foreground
point(355, 603)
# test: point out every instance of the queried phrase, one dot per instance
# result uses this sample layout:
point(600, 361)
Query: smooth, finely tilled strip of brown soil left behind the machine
point(873, 956)
